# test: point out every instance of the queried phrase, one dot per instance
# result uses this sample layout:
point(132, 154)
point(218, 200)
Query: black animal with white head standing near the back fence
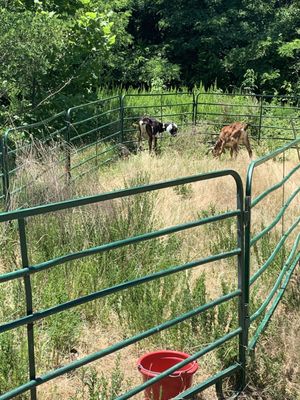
point(151, 129)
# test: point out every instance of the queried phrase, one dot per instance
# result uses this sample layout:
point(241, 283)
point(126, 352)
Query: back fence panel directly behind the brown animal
point(267, 115)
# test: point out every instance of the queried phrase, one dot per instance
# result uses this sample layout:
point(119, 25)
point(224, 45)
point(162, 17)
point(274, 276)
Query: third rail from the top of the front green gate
point(36, 316)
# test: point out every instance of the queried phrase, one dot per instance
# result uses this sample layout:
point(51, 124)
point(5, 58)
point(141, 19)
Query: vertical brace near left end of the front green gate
point(29, 305)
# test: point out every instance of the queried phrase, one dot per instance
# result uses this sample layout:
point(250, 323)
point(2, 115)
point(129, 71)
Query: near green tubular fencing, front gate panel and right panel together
point(246, 310)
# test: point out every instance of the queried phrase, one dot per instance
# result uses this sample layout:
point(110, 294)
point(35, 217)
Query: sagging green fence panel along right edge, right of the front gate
point(286, 252)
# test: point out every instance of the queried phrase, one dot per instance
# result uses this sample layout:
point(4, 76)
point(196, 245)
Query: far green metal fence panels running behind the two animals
point(88, 136)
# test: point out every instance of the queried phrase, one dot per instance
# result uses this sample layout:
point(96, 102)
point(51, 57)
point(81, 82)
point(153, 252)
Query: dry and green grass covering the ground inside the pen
point(70, 335)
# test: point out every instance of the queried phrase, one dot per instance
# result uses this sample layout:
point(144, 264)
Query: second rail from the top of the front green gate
point(125, 242)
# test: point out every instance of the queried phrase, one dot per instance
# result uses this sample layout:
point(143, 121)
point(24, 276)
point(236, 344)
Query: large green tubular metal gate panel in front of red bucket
point(33, 316)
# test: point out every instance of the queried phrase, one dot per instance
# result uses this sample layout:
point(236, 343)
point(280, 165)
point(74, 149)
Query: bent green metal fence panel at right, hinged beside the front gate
point(293, 257)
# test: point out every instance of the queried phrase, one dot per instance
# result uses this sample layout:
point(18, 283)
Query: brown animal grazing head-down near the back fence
point(231, 136)
